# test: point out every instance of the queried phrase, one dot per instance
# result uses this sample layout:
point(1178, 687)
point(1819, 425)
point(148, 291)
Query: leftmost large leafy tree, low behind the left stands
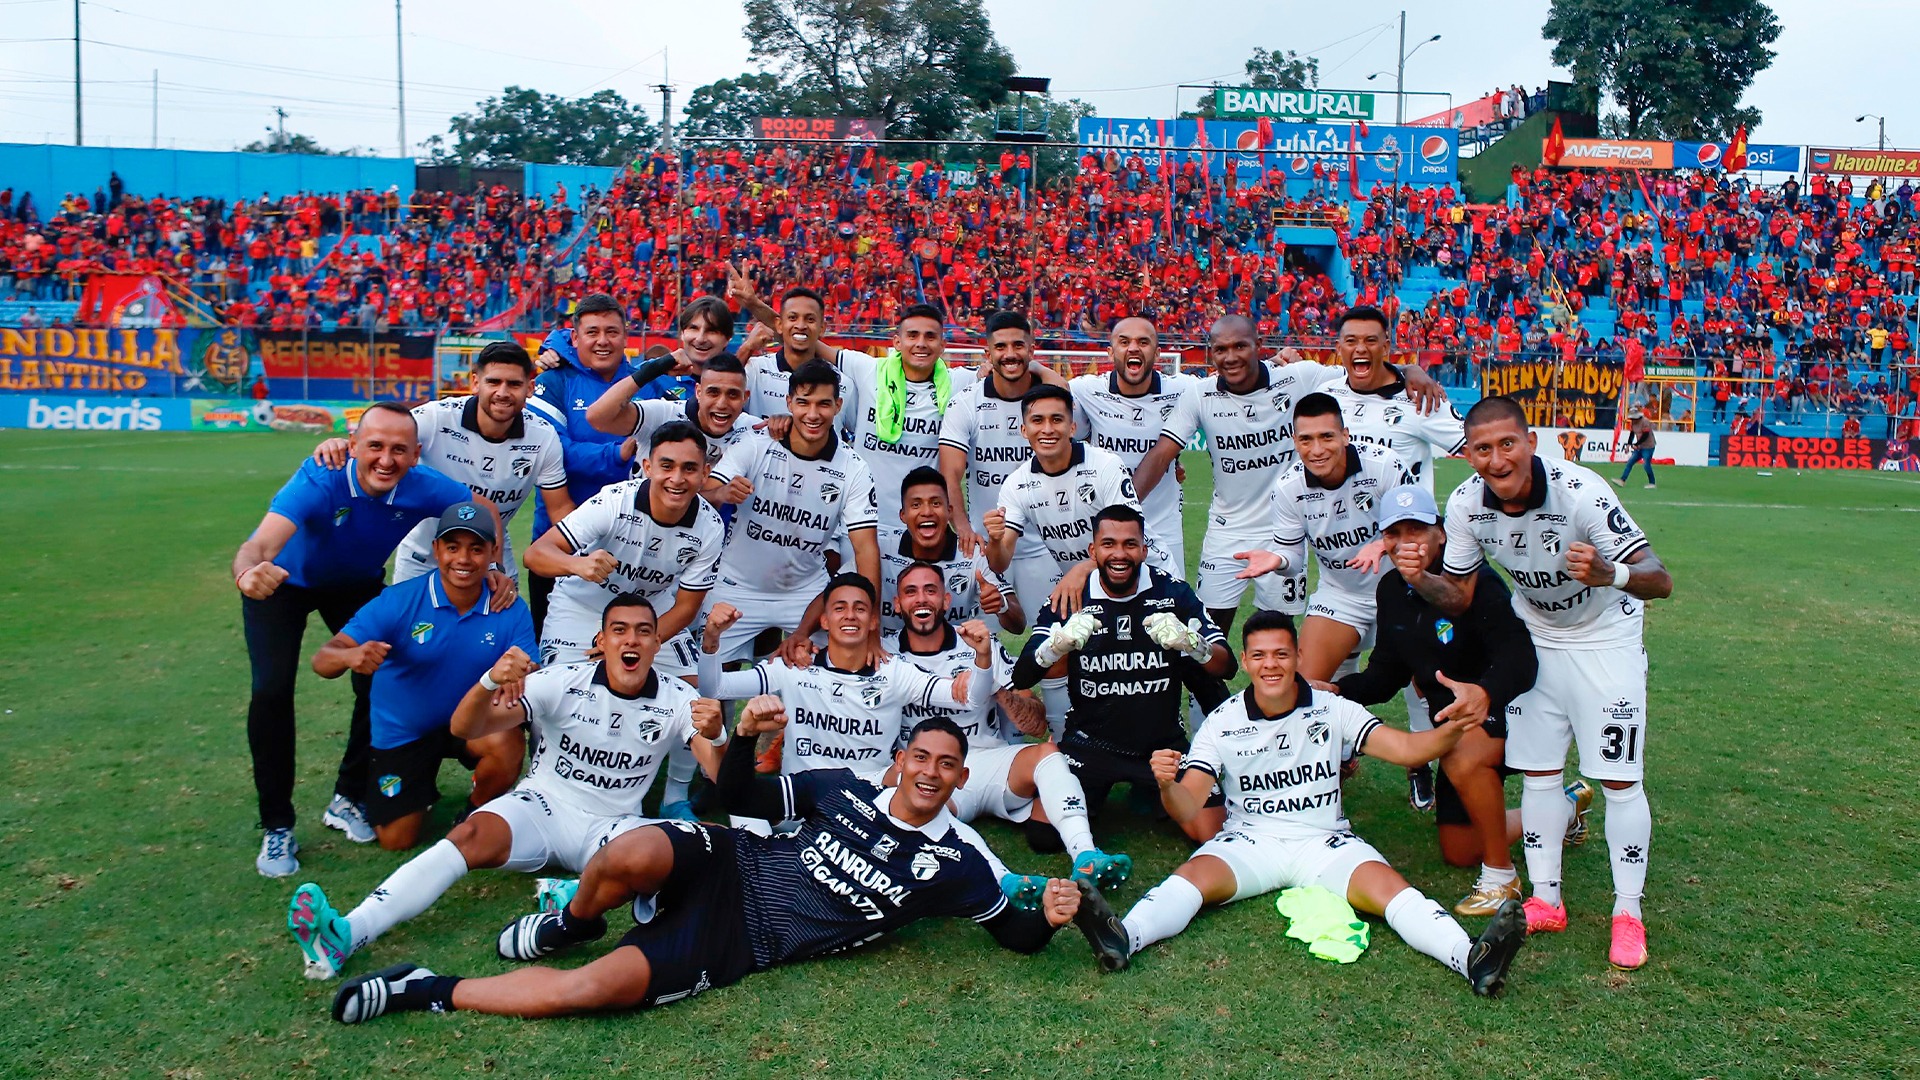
point(527, 126)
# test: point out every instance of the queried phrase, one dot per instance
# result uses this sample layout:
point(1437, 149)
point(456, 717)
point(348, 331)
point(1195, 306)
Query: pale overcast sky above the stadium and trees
point(226, 64)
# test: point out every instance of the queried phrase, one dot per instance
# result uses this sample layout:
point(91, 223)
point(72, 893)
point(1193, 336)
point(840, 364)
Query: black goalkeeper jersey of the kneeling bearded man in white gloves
point(1124, 693)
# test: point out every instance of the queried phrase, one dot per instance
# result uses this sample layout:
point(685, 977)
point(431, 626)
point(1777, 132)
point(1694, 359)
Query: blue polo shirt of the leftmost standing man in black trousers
point(348, 535)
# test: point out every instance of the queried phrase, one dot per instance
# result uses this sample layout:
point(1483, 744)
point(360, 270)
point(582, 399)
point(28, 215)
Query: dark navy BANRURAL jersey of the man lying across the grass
point(853, 873)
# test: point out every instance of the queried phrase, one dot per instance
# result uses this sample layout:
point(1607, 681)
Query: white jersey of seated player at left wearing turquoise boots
point(596, 750)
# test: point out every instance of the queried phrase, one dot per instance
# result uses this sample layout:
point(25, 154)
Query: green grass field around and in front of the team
point(1781, 908)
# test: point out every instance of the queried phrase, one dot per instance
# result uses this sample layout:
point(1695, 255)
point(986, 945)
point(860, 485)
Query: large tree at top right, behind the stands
point(1671, 68)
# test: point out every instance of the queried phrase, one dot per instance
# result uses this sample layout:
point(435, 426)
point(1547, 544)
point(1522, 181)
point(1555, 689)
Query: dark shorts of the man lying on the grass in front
point(698, 937)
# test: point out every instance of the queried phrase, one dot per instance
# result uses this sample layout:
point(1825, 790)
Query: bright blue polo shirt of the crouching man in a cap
point(437, 654)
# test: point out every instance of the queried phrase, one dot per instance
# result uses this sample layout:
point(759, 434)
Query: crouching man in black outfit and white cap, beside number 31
point(1477, 662)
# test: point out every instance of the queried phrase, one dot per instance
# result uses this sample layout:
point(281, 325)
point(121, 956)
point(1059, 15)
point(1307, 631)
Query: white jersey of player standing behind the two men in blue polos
point(504, 472)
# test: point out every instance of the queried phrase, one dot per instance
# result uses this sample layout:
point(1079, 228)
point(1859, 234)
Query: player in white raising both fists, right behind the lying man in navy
point(848, 714)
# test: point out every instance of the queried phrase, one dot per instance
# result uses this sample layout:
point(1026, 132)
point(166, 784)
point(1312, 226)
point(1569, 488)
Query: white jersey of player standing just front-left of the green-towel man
point(796, 508)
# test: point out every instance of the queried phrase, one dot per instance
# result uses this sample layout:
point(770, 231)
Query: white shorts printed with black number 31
point(1596, 699)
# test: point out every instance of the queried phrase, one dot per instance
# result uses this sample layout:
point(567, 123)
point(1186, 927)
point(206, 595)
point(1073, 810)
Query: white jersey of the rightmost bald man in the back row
point(1251, 437)
